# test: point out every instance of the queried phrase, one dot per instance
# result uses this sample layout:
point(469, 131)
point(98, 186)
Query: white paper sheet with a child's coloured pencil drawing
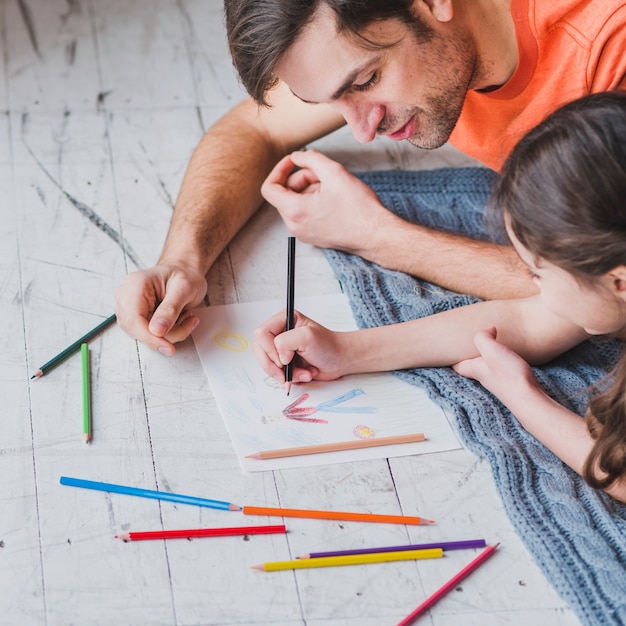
point(260, 416)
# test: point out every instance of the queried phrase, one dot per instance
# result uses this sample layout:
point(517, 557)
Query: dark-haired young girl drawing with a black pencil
point(562, 198)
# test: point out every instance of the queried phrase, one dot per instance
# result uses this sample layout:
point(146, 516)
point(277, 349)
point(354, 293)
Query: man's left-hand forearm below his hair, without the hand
point(221, 188)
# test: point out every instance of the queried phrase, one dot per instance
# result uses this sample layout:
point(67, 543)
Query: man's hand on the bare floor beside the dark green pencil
point(154, 305)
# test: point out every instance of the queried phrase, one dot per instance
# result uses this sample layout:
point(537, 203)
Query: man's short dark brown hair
point(261, 31)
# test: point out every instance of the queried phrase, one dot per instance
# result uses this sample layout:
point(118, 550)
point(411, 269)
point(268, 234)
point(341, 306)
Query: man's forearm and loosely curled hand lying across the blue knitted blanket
point(325, 205)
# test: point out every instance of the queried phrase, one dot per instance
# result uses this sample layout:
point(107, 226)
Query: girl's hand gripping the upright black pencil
point(319, 352)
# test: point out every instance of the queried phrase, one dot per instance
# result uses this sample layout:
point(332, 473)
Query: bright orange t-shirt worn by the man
point(567, 49)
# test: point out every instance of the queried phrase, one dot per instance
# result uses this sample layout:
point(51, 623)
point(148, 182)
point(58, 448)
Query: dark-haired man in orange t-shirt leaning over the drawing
point(479, 74)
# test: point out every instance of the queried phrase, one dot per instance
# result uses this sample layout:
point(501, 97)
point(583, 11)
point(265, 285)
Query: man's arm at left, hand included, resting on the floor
point(219, 193)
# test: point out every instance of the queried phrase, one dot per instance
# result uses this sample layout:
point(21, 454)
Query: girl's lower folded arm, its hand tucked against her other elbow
point(511, 379)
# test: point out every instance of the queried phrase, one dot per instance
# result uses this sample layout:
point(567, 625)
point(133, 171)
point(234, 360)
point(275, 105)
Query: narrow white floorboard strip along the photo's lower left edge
point(21, 571)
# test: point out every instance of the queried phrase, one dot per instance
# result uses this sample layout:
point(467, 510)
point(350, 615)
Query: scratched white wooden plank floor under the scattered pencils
point(102, 103)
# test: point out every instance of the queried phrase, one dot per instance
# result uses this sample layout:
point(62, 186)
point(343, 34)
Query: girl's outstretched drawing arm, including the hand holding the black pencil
point(524, 325)
